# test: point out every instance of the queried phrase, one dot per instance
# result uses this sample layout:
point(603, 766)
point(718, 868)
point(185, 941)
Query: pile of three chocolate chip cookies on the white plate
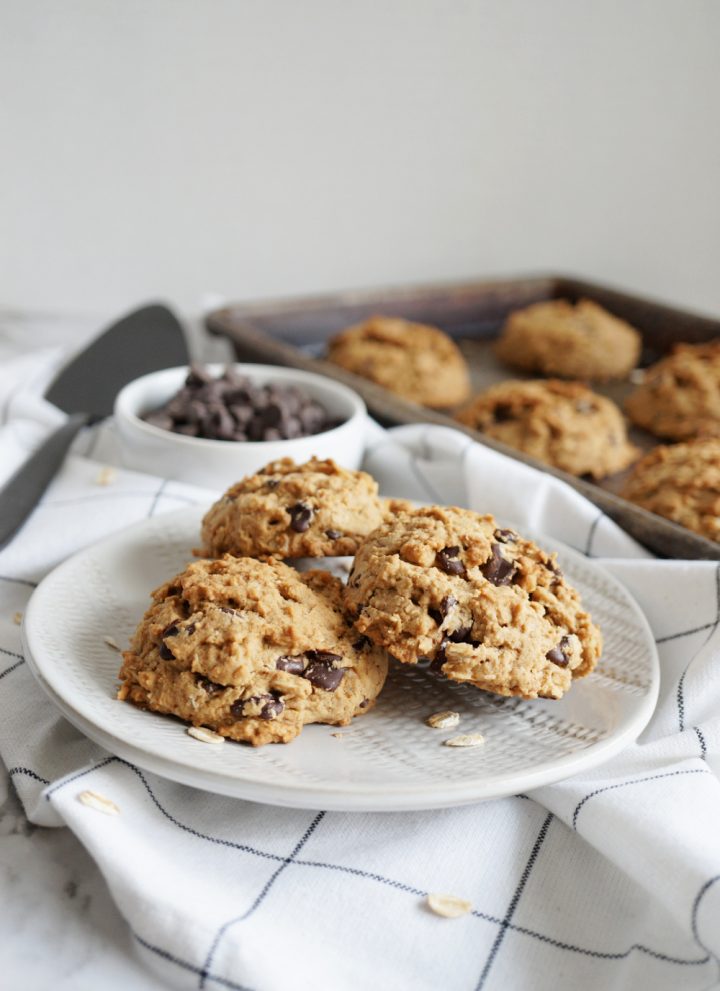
point(249, 646)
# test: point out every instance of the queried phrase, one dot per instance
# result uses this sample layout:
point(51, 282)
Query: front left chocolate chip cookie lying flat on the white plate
point(252, 650)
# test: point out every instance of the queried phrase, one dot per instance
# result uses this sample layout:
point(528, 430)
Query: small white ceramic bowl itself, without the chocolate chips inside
point(217, 464)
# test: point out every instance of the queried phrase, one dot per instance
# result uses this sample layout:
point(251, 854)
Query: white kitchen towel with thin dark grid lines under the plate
point(610, 880)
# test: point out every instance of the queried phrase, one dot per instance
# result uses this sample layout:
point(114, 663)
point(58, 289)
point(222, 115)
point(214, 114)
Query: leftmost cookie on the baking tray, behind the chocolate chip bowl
point(418, 362)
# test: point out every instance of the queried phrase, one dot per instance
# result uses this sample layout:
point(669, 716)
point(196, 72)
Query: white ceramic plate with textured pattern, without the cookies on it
point(388, 760)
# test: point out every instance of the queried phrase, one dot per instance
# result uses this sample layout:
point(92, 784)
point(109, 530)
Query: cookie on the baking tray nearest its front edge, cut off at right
point(682, 483)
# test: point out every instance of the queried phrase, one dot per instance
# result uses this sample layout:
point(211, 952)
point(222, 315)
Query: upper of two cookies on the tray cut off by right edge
point(680, 395)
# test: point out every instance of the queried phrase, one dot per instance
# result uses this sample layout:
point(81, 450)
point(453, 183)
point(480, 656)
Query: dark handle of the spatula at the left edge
point(22, 492)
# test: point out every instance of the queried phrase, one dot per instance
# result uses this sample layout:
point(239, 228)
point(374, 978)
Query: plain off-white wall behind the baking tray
point(271, 147)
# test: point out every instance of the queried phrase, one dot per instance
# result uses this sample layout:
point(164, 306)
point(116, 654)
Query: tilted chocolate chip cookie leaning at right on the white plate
point(484, 605)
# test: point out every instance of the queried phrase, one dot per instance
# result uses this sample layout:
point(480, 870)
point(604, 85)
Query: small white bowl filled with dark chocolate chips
point(210, 425)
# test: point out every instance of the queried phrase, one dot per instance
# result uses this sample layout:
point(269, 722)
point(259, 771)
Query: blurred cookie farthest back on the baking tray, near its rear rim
point(573, 341)
